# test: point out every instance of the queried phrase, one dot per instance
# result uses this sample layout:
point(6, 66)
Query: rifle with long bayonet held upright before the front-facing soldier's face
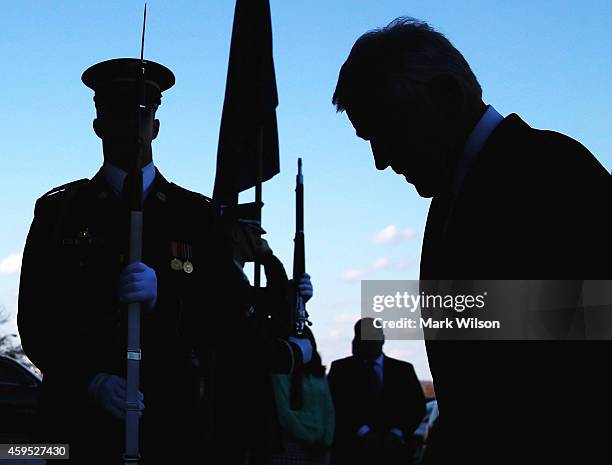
point(132, 414)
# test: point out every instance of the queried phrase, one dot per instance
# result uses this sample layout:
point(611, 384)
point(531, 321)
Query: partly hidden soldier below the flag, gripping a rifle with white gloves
point(244, 426)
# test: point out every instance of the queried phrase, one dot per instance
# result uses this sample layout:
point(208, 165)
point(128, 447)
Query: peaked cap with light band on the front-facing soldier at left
point(122, 74)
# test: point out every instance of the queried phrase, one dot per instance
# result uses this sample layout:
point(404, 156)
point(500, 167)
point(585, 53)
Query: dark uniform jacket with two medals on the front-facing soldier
point(72, 325)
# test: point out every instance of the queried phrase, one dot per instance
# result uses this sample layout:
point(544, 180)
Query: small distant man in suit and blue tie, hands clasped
point(378, 402)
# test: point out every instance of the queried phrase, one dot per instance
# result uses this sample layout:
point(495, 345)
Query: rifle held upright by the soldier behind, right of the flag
point(299, 317)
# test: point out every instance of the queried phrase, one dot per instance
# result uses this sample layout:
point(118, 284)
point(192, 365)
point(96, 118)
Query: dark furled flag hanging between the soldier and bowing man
point(249, 106)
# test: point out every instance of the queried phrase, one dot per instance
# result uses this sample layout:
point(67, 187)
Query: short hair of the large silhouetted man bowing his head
point(406, 50)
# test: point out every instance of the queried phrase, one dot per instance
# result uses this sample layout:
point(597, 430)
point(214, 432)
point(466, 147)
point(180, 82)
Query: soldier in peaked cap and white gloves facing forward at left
point(75, 282)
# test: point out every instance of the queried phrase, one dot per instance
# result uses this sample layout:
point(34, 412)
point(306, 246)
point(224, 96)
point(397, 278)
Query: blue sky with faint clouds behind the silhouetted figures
point(548, 61)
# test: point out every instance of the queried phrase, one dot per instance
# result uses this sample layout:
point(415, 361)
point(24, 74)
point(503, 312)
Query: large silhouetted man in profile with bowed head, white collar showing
point(509, 202)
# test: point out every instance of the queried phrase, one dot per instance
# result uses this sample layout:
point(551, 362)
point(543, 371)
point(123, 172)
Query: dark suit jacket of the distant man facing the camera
point(401, 404)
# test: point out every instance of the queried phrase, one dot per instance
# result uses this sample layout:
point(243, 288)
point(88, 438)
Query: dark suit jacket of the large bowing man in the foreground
point(535, 206)
